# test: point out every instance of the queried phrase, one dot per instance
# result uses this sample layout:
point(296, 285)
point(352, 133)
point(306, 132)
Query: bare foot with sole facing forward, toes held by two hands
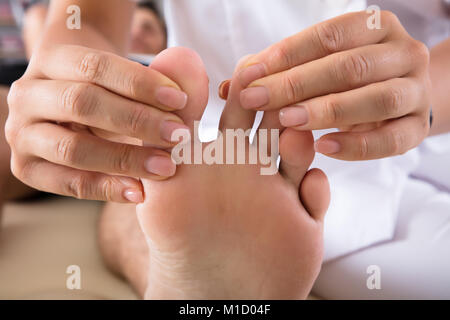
point(226, 231)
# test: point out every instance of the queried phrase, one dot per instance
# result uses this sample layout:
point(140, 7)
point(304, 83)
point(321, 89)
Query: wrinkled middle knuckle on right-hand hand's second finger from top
point(353, 69)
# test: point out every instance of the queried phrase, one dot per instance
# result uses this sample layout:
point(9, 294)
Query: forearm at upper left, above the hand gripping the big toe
point(110, 33)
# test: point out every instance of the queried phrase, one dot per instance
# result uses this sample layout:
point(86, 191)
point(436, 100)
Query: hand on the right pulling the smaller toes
point(371, 84)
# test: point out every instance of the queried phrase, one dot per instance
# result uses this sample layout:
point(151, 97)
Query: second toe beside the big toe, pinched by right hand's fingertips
point(234, 116)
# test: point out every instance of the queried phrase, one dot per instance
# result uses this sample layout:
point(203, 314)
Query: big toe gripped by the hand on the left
point(186, 68)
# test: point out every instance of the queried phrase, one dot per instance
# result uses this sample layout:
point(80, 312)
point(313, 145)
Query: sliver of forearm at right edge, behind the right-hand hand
point(440, 94)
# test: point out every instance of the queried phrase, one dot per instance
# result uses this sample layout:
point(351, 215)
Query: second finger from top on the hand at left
point(93, 106)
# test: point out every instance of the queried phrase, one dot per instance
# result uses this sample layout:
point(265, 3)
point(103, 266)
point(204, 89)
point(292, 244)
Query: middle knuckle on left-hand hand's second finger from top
point(79, 100)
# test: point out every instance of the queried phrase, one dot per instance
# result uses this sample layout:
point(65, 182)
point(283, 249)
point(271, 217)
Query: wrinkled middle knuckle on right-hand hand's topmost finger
point(329, 37)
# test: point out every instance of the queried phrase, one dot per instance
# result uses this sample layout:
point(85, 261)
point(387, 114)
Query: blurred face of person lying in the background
point(147, 33)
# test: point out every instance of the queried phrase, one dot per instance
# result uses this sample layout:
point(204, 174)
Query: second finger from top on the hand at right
point(335, 73)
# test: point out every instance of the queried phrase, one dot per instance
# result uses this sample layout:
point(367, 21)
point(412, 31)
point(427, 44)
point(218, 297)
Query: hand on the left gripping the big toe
point(70, 99)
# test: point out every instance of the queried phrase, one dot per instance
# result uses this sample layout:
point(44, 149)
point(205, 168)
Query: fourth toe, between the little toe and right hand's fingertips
point(297, 154)
